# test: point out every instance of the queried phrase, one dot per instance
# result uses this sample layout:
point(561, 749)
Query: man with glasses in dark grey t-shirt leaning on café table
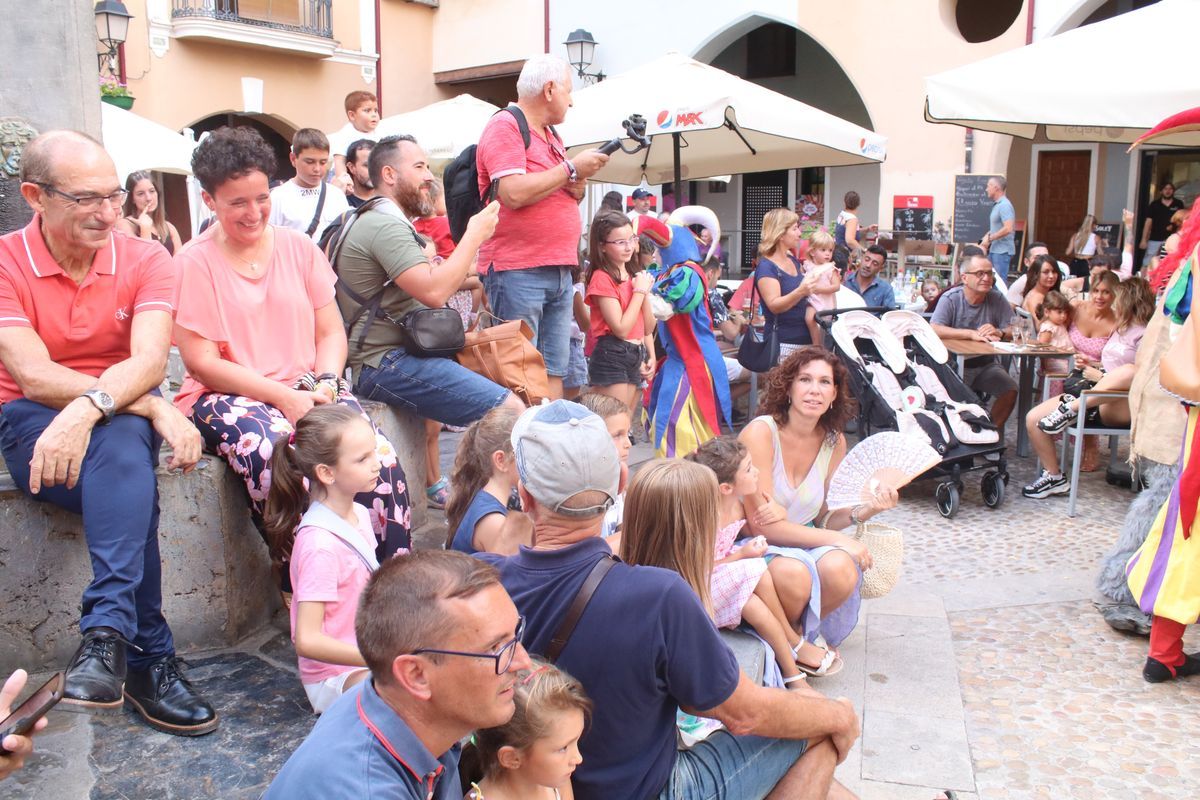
point(977, 310)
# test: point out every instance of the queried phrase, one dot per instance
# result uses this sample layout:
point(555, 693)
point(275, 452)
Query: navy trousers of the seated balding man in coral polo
point(118, 498)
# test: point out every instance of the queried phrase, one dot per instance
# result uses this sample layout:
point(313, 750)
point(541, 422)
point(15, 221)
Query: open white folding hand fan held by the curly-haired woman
point(885, 460)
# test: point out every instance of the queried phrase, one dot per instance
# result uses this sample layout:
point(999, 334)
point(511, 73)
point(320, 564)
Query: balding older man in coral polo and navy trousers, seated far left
point(86, 317)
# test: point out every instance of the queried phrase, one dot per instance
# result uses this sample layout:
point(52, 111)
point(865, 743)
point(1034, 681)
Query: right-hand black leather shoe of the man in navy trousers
point(167, 701)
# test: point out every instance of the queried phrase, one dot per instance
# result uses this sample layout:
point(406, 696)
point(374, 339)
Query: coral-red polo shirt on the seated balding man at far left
point(86, 327)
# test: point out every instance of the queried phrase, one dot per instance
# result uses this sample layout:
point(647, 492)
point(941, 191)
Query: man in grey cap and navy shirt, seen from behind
point(645, 647)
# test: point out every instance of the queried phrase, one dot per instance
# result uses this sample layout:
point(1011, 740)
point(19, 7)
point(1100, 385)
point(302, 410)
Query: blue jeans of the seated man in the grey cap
point(737, 768)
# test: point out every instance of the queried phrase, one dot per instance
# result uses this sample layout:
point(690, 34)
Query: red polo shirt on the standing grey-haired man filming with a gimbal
point(543, 234)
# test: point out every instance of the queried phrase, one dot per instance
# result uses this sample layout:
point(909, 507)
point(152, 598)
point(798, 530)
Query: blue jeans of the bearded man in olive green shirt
point(437, 389)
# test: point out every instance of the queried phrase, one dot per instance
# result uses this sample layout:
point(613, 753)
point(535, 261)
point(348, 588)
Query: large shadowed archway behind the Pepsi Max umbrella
point(779, 57)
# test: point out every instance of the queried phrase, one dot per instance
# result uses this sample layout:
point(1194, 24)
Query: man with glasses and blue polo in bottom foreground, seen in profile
point(443, 643)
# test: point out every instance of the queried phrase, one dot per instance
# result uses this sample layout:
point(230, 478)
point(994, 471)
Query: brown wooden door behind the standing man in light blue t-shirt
point(1064, 178)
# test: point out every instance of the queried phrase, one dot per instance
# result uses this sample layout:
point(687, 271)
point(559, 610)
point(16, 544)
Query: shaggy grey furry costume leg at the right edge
point(1121, 611)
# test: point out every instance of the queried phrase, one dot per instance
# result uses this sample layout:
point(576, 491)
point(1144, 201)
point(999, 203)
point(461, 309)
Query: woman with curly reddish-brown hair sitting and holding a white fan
point(797, 446)
